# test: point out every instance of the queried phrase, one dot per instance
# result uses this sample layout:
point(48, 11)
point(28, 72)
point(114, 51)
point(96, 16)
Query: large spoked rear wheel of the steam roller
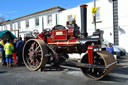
point(34, 52)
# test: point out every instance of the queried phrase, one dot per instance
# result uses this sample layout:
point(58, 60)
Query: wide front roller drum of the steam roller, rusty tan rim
point(101, 58)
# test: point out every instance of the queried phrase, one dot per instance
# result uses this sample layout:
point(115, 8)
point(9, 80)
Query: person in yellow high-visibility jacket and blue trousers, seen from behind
point(8, 47)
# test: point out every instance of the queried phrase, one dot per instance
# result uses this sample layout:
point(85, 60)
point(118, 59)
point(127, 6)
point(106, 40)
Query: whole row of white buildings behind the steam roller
point(50, 17)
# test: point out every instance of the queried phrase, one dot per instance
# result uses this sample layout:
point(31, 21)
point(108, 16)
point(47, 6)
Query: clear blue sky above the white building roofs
point(11, 9)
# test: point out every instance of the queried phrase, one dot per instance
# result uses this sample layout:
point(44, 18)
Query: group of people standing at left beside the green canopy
point(11, 52)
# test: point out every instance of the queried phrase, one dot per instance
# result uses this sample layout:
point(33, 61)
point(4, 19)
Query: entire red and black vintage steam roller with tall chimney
point(53, 46)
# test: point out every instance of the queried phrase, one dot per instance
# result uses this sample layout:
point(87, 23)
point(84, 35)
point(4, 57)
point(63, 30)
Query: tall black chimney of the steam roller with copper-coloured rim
point(84, 33)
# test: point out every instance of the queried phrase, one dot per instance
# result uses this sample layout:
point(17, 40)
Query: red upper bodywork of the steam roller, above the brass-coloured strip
point(59, 37)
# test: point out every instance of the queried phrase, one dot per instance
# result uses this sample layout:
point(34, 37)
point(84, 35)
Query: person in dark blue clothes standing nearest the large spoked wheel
point(19, 47)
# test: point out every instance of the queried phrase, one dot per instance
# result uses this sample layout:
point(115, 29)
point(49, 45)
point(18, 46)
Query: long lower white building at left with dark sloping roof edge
point(35, 21)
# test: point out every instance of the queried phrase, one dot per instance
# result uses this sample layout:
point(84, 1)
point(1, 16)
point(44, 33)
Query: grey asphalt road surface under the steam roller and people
point(65, 76)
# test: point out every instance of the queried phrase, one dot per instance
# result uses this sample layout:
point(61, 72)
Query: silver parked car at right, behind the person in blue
point(118, 51)
